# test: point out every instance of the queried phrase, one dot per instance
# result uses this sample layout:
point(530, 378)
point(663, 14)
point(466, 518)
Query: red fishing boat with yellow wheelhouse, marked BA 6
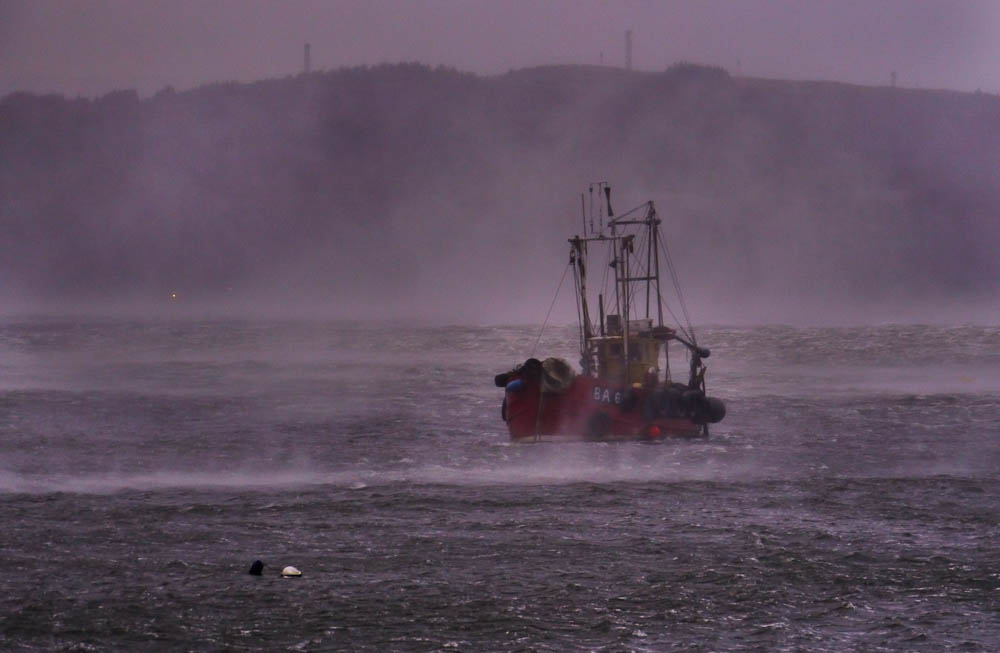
point(625, 389)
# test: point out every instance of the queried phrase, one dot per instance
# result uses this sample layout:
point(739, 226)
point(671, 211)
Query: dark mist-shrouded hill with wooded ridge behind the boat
point(404, 190)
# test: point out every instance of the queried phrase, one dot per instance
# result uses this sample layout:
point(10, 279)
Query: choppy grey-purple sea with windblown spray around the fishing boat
point(849, 501)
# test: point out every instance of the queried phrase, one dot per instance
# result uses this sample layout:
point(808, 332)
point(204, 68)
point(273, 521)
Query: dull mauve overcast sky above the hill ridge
point(90, 47)
